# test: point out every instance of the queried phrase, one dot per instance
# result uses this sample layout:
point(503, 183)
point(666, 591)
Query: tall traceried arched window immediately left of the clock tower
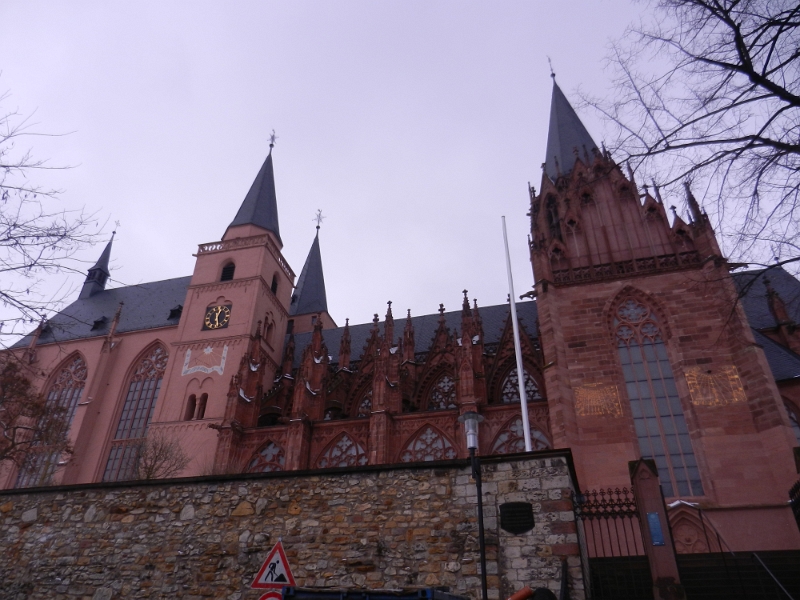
point(140, 401)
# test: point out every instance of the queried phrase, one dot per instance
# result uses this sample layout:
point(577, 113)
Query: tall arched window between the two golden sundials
point(657, 412)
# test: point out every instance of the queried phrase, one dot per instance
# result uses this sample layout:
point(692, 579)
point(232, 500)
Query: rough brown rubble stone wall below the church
point(376, 527)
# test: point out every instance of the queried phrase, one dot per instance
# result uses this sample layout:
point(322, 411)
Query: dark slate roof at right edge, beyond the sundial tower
point(754, 300)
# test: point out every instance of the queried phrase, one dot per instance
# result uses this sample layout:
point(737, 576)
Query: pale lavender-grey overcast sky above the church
point(413, 126)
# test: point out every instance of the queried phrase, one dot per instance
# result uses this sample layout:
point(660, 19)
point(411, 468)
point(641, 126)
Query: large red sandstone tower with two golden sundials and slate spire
point(645, 345)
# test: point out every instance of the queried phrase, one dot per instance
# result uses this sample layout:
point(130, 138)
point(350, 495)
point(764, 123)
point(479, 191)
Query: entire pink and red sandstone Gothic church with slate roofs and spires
point(636, 344)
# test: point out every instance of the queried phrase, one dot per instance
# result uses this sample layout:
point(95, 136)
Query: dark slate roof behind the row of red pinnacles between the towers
point(425, 326)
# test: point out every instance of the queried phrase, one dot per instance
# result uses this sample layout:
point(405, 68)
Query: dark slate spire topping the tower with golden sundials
point(567, 133)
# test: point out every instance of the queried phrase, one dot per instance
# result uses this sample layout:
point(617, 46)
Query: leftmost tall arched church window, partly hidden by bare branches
point(62, 397)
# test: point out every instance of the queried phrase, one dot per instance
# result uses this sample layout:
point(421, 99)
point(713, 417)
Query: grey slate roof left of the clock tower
point(147, 306)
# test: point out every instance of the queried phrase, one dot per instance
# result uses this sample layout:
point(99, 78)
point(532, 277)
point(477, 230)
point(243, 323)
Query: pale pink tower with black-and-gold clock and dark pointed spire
point(231, 331)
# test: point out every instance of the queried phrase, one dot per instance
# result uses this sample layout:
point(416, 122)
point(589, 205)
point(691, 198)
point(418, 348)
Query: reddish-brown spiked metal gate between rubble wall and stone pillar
point(612, 548)
